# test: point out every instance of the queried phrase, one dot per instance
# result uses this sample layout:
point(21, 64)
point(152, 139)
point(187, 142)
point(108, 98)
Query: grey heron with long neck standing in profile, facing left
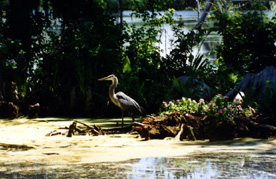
point(122, 100)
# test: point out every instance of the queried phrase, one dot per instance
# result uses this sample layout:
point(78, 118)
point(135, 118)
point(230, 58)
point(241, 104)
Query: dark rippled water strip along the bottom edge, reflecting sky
point(215, 165)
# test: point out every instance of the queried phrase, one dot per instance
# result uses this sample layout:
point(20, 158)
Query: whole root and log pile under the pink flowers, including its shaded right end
point(185, 126)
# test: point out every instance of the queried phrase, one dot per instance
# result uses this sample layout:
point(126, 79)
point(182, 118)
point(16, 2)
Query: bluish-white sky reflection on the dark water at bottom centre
point(170, 169)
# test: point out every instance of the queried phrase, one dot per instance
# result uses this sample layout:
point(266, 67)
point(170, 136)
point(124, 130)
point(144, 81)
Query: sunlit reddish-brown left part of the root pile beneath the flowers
point(177, 124)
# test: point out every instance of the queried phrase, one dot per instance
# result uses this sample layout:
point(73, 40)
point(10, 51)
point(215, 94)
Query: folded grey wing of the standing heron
point(128, 103)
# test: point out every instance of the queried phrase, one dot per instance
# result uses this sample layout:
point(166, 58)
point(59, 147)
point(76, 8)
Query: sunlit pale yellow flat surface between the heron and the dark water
point(24, 140)
